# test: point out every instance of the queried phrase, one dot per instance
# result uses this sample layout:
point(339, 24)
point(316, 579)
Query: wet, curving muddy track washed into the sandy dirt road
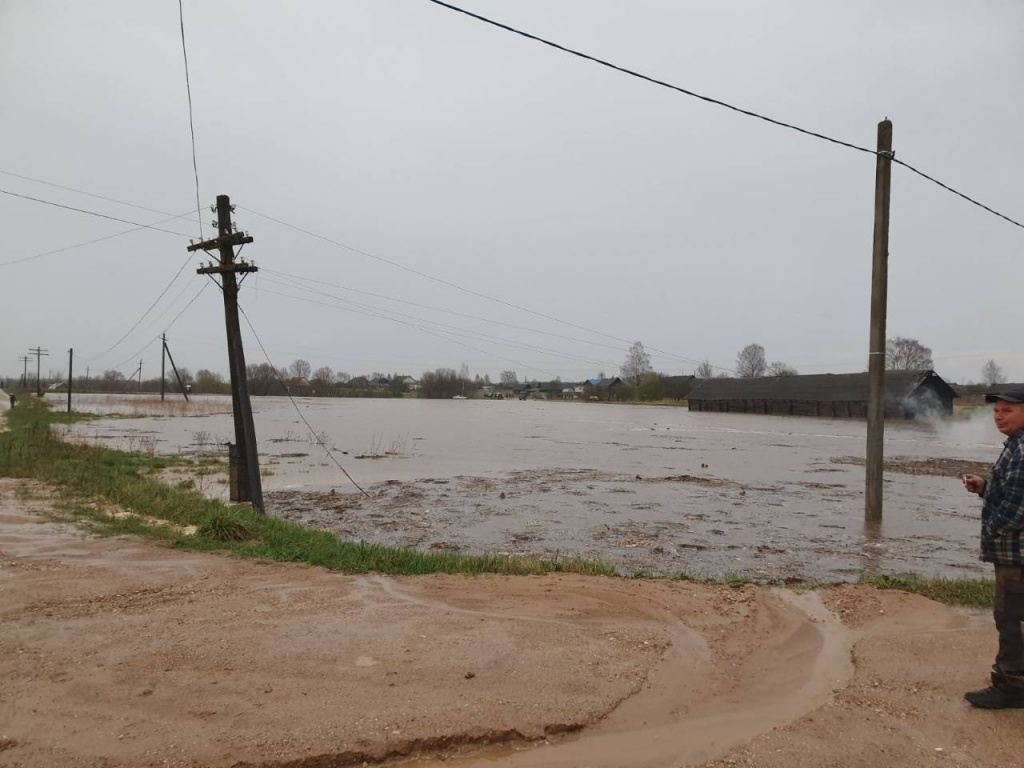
point(671, 721)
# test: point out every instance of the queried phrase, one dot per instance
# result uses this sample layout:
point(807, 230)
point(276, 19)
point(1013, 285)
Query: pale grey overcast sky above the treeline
point(421, 137)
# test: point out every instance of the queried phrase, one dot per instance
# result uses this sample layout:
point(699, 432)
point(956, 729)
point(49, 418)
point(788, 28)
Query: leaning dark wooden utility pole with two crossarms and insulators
point(250, 487)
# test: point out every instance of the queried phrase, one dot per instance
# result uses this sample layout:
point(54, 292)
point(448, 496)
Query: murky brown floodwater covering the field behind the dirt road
point(648, 489)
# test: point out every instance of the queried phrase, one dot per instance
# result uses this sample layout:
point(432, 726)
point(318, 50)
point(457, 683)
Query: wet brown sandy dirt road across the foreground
point(119, 653)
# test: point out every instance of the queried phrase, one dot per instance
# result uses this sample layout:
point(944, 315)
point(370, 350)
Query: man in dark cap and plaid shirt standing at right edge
point(1002, 522)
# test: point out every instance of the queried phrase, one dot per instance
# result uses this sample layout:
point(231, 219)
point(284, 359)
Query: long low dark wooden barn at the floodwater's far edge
point(908, 395)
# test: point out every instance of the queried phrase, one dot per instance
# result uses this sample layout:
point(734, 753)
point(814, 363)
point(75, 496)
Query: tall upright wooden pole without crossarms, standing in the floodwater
point(877, 339)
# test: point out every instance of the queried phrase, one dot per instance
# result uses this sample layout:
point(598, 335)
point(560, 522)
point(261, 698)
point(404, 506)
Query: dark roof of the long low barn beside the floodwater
point(900, 385)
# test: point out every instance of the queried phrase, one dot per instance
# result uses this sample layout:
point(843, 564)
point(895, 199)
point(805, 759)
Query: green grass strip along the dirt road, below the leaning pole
point(94, 478)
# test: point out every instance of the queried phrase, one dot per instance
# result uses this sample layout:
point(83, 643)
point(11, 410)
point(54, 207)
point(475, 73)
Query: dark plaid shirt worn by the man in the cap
point(1003, 518)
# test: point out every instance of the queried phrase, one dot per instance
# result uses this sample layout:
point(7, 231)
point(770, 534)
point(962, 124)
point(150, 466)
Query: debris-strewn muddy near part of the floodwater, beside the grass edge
point(696, 524)
